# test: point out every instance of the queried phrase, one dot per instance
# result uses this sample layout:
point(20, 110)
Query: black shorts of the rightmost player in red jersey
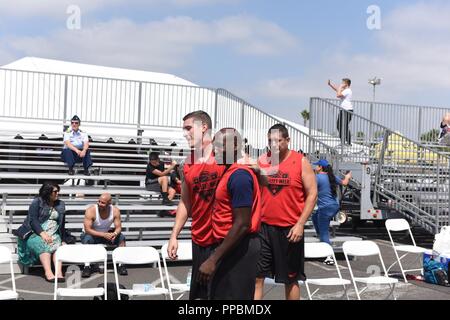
point(279, 258)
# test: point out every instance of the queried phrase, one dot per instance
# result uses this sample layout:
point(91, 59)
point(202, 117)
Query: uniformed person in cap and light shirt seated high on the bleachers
point(76, 147)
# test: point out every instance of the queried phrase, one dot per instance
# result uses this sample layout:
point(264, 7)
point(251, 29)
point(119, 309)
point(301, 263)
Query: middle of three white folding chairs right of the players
point(365, 249)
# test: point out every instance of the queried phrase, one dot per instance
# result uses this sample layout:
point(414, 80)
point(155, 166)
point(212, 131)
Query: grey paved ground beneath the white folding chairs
point(34, 287)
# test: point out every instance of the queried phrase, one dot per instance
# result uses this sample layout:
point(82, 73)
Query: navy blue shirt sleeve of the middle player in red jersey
point(240, 188)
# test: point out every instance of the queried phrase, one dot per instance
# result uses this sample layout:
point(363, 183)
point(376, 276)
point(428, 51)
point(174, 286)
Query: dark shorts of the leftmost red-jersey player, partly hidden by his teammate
point(199, 255)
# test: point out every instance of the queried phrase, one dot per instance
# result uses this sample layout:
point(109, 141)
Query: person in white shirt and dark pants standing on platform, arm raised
point(344, 93)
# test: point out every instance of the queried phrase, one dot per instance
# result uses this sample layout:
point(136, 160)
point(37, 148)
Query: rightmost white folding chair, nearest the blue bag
point(403, 225)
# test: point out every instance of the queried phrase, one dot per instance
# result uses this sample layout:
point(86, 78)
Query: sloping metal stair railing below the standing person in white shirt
point(414, 178)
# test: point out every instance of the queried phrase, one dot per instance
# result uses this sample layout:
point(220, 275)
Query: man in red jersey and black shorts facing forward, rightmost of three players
point(287, 203)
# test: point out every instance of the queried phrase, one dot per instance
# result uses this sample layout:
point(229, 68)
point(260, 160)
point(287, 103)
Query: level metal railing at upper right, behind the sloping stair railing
point(412, 121)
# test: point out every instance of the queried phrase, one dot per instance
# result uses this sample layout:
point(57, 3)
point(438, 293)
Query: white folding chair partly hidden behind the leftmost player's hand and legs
point(184, 253)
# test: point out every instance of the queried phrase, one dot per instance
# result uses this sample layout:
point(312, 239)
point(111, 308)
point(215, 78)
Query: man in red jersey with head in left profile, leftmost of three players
point(200, 176)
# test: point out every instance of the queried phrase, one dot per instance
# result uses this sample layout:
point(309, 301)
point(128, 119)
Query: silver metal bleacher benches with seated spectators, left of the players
point(119, 169)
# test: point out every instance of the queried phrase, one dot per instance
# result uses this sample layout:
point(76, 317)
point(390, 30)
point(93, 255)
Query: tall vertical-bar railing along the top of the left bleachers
point(49, 96)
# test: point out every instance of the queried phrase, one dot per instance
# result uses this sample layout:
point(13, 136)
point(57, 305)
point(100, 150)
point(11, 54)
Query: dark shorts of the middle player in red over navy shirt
point(235, 276)
